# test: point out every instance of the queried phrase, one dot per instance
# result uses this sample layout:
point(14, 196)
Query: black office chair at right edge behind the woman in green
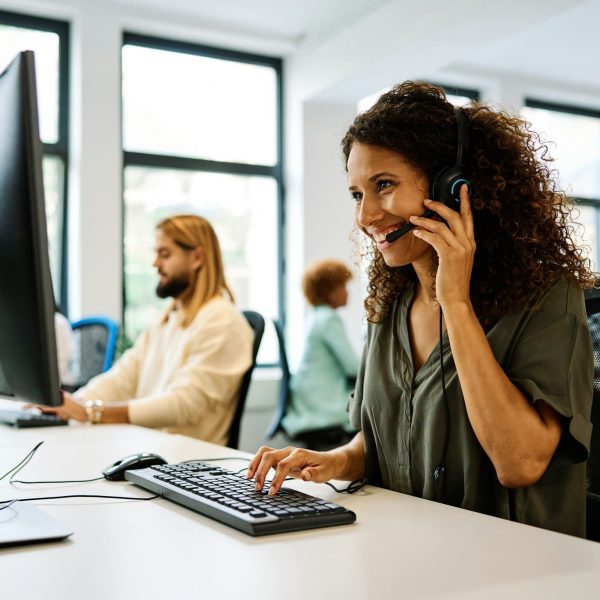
point(592, 307)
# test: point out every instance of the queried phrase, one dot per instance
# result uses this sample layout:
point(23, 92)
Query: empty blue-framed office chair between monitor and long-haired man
point(96, 339)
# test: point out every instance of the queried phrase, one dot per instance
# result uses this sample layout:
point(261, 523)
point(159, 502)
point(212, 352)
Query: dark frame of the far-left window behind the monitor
point(59, 149)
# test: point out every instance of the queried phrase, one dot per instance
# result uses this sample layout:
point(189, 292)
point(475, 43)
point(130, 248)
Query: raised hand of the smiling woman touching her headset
point(454, 242)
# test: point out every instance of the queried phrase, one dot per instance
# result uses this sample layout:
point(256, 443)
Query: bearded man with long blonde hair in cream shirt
point(183, 374)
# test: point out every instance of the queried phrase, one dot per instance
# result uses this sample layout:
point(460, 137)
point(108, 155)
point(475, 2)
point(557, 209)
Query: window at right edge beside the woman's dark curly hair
point(574, 136)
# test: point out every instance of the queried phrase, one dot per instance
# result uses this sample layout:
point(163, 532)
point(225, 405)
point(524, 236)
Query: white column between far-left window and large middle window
point(95, 169)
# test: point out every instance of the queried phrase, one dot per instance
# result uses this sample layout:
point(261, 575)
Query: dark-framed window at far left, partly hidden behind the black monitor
point(49, 40)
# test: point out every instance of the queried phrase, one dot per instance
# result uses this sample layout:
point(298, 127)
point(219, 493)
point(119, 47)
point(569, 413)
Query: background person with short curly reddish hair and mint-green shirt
point(320, 388)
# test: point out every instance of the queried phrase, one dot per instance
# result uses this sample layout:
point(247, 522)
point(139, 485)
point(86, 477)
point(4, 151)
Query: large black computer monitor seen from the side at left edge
point(27, 339)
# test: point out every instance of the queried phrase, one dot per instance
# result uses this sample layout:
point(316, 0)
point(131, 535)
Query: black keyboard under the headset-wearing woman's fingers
point(230, 498)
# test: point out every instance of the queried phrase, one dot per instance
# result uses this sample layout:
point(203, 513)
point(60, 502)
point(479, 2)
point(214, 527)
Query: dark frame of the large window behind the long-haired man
point(143, 159)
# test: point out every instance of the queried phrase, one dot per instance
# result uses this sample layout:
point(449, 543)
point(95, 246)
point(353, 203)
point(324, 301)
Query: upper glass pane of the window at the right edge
point(575, 148)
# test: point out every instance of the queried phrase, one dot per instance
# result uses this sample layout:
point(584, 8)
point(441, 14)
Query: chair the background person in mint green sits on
point(317, 439)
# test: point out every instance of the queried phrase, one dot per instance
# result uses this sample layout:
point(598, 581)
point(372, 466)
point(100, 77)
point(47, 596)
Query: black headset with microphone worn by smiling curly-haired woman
point(447, 183)
